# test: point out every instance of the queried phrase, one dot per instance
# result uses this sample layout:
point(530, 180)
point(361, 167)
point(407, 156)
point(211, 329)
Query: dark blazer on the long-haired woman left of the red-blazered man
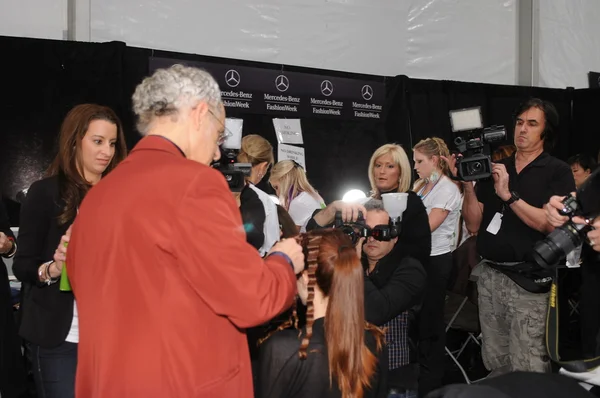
point(47, 312)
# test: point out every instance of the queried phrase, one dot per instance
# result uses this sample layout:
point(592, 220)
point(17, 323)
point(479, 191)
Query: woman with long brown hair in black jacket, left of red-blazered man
point(91, 144)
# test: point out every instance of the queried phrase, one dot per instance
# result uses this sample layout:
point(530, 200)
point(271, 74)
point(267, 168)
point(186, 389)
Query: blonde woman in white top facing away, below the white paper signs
point(295, 193)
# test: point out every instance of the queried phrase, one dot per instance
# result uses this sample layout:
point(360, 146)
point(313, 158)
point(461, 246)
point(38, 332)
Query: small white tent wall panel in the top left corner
point(43, 19)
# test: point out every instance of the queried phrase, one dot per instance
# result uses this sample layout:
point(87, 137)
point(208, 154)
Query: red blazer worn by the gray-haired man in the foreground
point(165, 282)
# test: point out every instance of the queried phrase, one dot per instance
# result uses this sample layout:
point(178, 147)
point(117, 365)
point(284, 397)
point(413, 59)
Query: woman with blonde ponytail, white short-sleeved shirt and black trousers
point(442, 198)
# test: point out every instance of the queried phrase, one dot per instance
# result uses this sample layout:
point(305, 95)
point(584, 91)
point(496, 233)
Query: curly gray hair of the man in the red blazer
point(169, 90)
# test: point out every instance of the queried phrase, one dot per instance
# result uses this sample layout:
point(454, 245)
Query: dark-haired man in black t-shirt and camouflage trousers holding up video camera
point(507, 212)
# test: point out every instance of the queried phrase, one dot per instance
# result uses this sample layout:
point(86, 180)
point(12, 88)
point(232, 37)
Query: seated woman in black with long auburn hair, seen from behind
point(337, 354)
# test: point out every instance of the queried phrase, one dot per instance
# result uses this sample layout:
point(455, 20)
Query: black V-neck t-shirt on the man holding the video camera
point(536, 183)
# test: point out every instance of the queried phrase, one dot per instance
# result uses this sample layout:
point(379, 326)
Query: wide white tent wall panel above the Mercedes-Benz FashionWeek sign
point(352, 35)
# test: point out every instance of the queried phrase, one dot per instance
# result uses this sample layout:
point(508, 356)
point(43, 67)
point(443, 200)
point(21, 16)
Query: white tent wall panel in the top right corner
point(569, 42)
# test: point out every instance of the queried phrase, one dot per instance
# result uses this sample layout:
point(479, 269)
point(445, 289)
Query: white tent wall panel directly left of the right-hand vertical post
point(468, 40)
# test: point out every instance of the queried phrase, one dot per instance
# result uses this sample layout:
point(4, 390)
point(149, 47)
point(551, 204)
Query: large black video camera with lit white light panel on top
point(474, 162)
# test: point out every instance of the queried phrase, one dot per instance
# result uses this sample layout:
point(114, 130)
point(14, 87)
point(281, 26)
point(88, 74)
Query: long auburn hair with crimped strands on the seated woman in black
point(333, 265)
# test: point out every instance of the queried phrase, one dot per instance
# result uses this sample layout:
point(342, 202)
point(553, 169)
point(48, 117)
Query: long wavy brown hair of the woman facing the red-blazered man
point(67, 163)
